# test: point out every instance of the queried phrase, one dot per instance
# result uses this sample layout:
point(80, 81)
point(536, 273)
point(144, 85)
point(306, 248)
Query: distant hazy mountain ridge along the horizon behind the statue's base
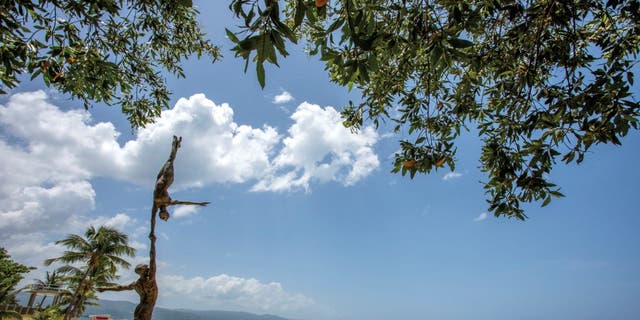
point(124, 310)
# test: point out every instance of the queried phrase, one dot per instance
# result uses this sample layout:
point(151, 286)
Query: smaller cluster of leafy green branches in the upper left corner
point(111, 51)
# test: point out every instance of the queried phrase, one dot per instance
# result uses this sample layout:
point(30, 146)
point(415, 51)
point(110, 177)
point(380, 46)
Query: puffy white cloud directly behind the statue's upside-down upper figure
point(214, 149)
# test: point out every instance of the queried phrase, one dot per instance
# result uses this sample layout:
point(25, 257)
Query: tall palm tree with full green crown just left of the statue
point(99, 253)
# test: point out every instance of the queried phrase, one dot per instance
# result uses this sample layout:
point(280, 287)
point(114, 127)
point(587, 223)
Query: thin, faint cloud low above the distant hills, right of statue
point(224, 291)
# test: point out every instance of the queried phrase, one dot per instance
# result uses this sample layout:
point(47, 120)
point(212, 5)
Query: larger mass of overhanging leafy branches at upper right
point(540, 81)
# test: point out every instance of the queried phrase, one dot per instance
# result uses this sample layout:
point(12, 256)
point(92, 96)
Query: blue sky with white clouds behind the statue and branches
point(295, 228)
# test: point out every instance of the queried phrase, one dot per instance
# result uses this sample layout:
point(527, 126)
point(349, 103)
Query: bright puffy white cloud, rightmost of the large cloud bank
point(319, 148)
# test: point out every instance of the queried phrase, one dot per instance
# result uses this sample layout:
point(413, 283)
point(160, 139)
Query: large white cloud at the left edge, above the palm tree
point(46, 169)
